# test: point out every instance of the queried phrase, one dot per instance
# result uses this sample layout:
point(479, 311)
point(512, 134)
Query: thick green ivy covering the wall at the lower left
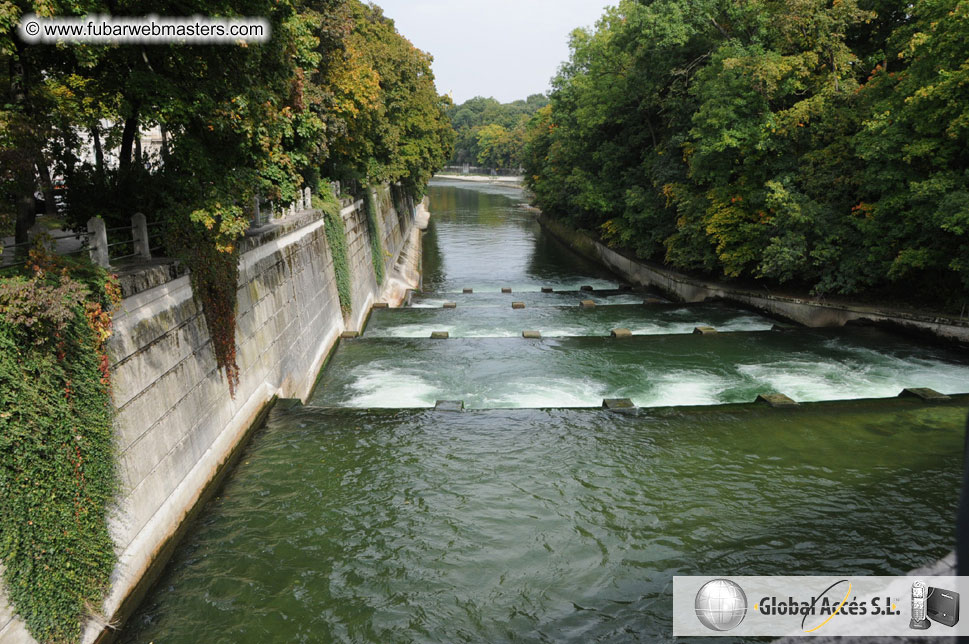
point(57, 462)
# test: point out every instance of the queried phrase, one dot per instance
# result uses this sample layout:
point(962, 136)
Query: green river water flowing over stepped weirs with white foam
point(353, 519)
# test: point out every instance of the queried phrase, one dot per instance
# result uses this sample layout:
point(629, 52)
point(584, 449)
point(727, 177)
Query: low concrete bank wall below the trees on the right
point(812, 312)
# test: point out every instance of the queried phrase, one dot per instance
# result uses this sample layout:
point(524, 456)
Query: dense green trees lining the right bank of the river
point(820, 144)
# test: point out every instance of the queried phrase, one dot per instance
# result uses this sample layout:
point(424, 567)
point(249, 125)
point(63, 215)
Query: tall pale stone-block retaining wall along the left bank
point(177, 427)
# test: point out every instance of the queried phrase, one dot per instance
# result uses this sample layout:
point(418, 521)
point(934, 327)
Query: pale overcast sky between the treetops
point(507, 49)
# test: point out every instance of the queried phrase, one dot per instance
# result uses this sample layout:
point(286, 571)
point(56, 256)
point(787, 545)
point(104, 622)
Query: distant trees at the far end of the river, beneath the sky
point(490, 133)
